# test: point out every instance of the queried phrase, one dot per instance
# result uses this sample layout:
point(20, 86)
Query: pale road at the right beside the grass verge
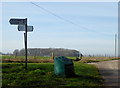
point(109, 71)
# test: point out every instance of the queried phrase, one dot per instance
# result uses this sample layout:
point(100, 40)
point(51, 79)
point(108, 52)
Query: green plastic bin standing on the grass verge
point(63, 66)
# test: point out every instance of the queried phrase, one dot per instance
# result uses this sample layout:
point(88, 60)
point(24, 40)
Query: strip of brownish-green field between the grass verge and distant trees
point(38, 59)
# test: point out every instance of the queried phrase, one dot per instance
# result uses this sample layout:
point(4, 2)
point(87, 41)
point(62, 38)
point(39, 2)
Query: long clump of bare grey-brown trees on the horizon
point(46, 52)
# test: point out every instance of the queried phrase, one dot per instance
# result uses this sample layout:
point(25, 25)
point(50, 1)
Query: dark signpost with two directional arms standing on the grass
point(22, 26)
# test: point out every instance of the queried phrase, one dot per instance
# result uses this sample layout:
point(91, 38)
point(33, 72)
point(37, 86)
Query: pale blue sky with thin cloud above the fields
point(88, 27)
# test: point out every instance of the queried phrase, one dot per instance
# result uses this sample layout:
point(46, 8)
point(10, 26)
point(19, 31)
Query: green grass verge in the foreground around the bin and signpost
point(41, 75)
